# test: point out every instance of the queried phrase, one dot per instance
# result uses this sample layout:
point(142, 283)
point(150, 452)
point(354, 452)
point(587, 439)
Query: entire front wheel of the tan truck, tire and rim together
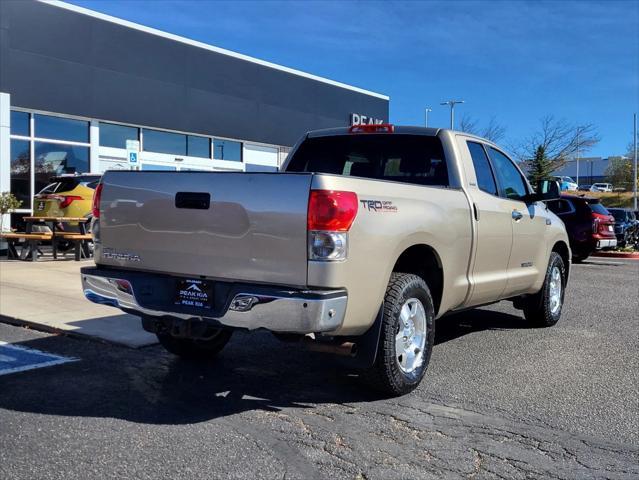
point(544, 308)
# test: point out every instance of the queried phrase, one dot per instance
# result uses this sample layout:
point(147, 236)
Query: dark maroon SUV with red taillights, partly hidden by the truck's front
point(589, 225)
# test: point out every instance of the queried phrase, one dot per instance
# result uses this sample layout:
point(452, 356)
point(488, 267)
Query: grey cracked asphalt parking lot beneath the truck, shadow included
point(500, 400)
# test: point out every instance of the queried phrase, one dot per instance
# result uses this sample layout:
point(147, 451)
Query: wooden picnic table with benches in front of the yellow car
point(32, 239)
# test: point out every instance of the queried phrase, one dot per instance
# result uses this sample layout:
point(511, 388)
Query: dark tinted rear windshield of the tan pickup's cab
point(415, 159)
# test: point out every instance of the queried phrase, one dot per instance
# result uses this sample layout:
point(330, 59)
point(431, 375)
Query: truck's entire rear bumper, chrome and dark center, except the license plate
point(239, 305)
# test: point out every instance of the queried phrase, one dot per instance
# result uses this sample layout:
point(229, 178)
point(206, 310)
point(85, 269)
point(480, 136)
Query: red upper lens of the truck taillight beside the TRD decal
point(331, 210)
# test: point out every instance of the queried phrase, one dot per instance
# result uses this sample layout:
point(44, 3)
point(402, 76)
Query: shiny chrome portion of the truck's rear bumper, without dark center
point(297, 312)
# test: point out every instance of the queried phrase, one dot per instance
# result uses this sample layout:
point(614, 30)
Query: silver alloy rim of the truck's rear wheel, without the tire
point(410, 341)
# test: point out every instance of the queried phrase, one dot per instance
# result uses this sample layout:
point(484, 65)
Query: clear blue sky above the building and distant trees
point(517, 61)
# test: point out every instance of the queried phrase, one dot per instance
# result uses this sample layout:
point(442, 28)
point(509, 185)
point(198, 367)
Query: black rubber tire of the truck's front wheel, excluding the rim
point(537, 308)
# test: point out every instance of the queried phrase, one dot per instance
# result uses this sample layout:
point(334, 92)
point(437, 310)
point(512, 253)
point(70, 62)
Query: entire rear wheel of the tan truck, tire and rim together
point(407, 336)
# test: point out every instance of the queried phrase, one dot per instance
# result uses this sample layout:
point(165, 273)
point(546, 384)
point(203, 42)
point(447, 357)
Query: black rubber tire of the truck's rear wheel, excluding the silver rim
point(386, 375)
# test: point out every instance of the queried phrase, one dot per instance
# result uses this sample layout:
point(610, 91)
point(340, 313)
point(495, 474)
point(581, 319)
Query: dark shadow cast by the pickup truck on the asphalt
point(254, 372)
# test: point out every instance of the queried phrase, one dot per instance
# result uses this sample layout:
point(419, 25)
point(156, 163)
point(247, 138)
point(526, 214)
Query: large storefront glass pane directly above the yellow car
point(52, 159)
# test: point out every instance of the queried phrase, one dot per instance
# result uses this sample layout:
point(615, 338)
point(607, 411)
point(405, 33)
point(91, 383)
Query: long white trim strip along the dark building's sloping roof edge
point(206, 46)
